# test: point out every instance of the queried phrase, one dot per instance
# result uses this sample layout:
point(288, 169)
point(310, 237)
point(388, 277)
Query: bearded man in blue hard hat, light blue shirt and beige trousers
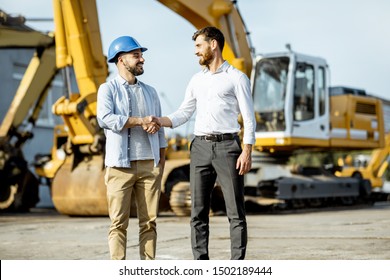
point(135, 148)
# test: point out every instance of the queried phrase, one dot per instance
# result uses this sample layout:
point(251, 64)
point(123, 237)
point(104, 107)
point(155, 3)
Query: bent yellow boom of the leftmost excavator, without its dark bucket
point(41, 70)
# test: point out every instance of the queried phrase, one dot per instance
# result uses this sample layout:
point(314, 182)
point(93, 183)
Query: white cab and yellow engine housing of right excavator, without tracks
point(295, 110)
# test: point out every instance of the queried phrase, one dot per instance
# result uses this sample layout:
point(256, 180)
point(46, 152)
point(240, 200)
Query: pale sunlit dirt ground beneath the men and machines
point(335, 234)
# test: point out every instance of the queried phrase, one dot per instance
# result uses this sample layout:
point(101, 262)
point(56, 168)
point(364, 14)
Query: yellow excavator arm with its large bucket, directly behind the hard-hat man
point(78, 185)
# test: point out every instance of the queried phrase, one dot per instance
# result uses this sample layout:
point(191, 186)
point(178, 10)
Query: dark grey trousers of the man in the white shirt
point(210, 160)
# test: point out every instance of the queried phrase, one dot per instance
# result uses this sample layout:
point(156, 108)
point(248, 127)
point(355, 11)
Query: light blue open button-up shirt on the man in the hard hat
point(113, 111)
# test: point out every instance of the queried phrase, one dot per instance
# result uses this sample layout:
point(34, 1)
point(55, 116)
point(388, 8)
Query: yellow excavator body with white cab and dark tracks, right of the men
point(298, 112)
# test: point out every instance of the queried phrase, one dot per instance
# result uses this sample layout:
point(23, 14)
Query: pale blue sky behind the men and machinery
point(353, 36)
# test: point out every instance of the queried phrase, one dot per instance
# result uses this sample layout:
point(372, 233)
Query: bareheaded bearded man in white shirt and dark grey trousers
point(219, 93)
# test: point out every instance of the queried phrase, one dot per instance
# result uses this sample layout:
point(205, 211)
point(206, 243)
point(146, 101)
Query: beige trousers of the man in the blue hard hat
point(144, 181)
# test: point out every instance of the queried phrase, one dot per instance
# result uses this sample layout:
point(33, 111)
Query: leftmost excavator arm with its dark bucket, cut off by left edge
point(18, 185)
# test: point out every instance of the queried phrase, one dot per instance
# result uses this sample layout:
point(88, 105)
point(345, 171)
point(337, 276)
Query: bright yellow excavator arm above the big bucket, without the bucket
point(78, 46)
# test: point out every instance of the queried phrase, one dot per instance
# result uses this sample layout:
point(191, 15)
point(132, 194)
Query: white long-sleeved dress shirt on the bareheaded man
point(218, 99)
